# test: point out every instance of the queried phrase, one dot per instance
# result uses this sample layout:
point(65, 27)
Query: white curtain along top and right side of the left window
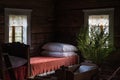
point(19, 20)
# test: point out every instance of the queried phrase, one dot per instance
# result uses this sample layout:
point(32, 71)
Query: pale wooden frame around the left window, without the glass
point(11, 11)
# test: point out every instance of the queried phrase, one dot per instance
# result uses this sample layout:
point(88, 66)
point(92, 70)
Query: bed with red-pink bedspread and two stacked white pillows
point(53, 56)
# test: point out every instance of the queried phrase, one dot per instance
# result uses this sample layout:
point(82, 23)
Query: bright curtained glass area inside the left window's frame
point(17, 28)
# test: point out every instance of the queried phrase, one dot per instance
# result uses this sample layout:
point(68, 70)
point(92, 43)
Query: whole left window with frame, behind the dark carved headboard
point(17, 26)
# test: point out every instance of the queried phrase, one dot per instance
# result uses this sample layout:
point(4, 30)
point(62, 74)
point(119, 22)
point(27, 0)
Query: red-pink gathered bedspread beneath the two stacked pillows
point(45, 64)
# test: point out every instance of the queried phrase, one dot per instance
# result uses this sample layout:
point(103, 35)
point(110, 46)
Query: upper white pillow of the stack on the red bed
point(59, 47)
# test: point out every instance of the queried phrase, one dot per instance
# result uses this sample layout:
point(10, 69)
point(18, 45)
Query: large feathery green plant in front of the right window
point(94, 44)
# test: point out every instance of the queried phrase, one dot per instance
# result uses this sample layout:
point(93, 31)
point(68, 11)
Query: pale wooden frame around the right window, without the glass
point(106, 11)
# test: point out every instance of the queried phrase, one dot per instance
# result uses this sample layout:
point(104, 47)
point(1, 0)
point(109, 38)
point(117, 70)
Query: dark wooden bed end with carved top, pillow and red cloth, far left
point(18, 54)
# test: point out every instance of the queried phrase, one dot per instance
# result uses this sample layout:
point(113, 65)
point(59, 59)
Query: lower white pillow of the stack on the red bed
point(57, 54)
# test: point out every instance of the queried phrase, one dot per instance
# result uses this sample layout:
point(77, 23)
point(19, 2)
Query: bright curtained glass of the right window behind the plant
point(97, 24)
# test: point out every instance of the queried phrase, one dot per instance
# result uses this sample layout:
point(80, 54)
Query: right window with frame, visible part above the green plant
point(101, 19)
